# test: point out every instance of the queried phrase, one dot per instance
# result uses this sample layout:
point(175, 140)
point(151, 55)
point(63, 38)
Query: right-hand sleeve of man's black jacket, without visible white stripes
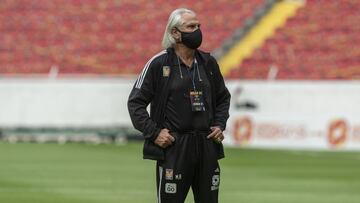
point(222, 98)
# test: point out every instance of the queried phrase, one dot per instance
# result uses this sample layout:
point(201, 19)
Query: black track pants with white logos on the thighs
point(190, 161)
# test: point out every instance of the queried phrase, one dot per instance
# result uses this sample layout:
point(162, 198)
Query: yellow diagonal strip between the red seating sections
point(265, 28)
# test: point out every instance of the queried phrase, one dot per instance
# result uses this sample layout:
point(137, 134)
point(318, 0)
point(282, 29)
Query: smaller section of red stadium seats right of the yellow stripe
point(320, 42)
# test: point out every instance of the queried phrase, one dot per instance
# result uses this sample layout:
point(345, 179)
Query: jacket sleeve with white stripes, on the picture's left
point(140, 97)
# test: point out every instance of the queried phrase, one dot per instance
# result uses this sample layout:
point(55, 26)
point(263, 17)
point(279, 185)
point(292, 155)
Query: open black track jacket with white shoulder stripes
point(152, 87)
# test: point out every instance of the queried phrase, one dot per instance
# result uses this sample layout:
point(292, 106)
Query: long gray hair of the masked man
point(175, 19)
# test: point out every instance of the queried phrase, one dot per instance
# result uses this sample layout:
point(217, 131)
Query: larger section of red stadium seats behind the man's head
point(101, 37)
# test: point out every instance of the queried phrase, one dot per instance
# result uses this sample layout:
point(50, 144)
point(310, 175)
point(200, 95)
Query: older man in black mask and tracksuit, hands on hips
point(189, 109)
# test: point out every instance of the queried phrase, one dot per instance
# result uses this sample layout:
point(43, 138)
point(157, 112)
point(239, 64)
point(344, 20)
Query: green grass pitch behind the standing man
point(85, 173)
